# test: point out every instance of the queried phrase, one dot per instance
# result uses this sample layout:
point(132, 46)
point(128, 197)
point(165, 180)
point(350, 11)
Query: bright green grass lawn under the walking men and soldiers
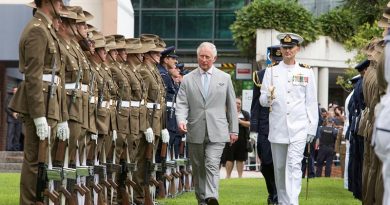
point(248, 191)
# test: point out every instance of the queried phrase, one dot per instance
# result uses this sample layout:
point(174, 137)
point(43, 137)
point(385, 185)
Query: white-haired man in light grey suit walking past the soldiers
point(206, 111)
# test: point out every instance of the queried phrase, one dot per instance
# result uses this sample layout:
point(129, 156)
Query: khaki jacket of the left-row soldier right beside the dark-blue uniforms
point(156, 94)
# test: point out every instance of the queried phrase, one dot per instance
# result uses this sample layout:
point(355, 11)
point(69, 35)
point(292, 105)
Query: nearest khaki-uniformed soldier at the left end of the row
point(40, 97)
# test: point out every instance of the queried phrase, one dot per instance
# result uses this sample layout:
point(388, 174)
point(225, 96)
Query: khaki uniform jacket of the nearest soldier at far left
point(39, 52)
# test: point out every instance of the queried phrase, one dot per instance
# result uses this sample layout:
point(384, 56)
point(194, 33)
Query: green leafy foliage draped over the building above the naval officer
point(282, 15)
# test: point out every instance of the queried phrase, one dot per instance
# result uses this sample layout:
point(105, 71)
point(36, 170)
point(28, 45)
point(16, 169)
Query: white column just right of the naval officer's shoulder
point(323, 87)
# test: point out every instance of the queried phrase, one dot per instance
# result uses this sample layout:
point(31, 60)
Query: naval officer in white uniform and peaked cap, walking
point(289, 89)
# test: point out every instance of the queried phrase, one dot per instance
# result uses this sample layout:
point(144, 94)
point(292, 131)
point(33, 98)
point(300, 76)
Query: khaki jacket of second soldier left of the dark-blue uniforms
point(138, 115)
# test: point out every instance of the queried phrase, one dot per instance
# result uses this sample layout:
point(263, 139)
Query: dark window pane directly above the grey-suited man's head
point(195, 24)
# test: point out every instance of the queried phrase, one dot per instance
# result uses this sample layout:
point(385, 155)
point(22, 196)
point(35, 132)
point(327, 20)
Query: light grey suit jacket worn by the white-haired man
point(215, 113)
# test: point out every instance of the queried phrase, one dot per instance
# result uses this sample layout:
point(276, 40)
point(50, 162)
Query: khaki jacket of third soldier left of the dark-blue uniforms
point(124, 90)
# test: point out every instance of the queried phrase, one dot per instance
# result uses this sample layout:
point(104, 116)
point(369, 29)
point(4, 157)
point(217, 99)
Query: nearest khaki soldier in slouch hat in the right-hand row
point(373, 89)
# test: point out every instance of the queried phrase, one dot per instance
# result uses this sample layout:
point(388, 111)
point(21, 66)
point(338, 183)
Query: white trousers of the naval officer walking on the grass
point(287, 160)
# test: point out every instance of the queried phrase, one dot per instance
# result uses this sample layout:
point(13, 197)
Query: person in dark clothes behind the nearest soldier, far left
point(14, 128)
